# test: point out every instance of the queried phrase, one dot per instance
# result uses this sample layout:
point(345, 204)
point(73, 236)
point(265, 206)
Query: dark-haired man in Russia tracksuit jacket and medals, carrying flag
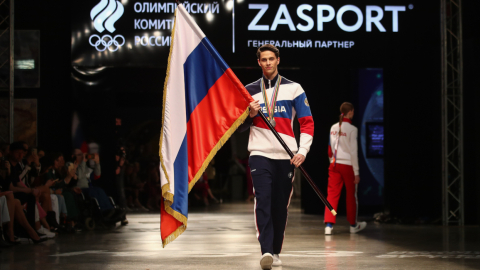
point(271, 167)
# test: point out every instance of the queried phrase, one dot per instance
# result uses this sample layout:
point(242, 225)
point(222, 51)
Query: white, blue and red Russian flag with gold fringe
point(203, 104)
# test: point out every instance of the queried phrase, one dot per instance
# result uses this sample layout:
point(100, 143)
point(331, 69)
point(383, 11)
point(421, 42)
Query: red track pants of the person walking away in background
point(337, 176)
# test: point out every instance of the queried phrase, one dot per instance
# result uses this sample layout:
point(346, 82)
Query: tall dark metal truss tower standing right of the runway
point(452, 112)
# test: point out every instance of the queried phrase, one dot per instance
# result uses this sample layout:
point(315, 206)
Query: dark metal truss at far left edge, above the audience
point(7, 63)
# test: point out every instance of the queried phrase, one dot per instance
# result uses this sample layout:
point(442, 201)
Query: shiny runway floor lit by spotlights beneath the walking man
point(223, 237)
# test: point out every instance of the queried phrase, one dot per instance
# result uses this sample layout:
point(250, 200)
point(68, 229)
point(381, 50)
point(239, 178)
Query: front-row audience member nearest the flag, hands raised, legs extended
point(83, 173)
